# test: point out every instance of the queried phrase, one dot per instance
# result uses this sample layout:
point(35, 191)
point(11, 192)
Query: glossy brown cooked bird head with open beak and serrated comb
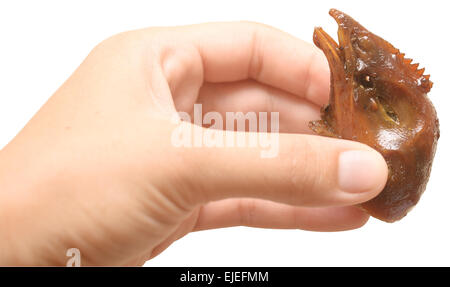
point(379, 98)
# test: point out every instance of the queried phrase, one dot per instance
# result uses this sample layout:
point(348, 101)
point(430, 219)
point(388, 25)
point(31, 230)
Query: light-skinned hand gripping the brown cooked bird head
point(95, 168)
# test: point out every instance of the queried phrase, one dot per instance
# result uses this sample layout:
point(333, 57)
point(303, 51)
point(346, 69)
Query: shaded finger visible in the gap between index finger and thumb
point(251, 96)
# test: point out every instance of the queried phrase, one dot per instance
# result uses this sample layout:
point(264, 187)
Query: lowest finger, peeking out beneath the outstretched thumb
point(267, 214)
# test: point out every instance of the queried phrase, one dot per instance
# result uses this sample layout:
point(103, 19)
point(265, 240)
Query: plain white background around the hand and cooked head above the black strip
point(42, 43)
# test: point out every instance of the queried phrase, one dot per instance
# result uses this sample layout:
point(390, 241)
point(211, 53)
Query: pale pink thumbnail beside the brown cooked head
point(361, 171)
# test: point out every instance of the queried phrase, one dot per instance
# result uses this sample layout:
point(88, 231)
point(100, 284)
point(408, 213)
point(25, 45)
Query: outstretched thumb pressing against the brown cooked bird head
point(304, 170)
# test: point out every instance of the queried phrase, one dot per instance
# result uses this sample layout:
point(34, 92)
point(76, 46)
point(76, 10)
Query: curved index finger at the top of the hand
point(241, 50)
